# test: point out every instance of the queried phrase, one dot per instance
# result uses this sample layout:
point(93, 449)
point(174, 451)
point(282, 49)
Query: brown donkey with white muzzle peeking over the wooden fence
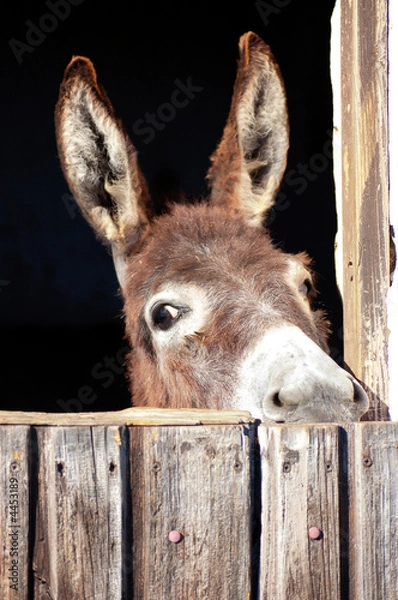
point(216, 315)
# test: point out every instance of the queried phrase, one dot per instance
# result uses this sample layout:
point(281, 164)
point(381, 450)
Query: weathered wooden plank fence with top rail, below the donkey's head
point(88, 502)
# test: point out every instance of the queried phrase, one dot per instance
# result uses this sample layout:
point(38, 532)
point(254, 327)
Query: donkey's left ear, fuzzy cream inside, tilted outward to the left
point(99, 161)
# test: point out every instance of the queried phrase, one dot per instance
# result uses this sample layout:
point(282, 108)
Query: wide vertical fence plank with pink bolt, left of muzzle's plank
point(197, 481)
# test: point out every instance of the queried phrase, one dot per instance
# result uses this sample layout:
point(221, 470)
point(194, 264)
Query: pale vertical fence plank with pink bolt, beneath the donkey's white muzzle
point(300, 490)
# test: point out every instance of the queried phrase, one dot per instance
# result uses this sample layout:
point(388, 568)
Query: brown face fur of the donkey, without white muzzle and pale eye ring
point(244, 269)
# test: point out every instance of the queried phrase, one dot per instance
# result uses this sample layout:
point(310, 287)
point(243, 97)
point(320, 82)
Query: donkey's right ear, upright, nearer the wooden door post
point(250, 161)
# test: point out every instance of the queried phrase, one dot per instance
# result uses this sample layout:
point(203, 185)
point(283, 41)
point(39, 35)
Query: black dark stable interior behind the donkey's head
point(61, 330)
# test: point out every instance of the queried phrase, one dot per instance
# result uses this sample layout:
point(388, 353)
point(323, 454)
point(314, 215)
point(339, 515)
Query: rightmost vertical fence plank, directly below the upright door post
point(373, 494)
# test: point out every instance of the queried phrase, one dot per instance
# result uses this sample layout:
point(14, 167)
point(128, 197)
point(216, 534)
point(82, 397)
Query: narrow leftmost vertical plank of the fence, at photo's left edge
point(14, 512)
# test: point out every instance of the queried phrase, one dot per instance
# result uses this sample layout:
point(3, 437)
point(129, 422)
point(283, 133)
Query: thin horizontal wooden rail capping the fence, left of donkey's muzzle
point(129, 416)
